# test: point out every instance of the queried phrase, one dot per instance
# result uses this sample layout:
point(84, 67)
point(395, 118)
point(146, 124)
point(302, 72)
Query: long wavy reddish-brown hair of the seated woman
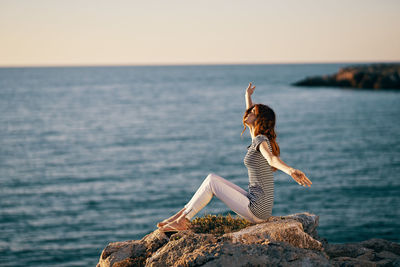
point(264, 124)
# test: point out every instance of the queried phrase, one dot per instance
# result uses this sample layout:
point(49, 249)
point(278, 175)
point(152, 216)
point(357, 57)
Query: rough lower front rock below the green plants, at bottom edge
point(228, 253)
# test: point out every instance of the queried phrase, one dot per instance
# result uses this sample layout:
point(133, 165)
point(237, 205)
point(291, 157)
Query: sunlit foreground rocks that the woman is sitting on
point(281, 241)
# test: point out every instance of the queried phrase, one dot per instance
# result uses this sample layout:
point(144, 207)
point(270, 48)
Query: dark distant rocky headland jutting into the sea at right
point(372, 76)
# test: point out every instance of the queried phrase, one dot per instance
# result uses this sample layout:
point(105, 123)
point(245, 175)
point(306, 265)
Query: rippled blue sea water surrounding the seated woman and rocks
point(92, 155)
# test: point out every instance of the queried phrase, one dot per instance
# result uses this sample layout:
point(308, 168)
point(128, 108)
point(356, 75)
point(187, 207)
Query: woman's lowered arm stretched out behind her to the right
point(276, 162)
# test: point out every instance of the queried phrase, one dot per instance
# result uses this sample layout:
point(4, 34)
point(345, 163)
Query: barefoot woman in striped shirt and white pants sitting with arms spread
point(261, 160)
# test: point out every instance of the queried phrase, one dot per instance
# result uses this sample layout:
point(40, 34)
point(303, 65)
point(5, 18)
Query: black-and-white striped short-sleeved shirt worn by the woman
point(261, 179)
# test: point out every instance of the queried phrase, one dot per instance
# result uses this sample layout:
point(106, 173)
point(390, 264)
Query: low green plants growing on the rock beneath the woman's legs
point(218, 224)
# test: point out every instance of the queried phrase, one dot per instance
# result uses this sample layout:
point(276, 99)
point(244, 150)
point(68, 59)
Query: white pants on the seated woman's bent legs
point(232, 195)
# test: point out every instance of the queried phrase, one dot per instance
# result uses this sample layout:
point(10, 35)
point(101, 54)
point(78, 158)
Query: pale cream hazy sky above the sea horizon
point(130, 32)
